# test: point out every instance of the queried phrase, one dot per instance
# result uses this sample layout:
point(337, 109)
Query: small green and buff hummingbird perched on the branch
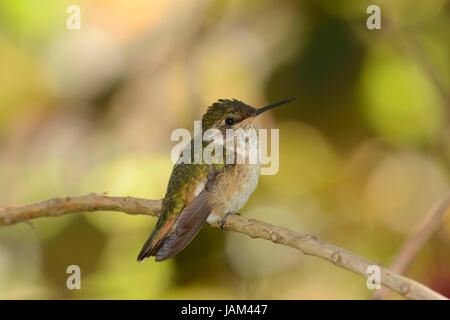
point(200, 193)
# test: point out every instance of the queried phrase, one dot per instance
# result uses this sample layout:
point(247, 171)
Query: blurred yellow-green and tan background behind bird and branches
point(364, 150)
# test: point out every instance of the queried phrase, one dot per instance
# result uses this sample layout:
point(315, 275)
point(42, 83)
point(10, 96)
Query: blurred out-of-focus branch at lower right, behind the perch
point(411, 246)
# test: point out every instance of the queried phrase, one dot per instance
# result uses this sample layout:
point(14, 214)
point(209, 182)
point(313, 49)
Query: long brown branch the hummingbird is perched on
point(305, 243)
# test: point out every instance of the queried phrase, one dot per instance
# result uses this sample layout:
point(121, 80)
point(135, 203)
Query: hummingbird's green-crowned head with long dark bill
point(233, 114)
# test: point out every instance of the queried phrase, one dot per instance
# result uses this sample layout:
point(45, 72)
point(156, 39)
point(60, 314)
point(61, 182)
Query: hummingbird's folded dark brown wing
point(187, 226)
